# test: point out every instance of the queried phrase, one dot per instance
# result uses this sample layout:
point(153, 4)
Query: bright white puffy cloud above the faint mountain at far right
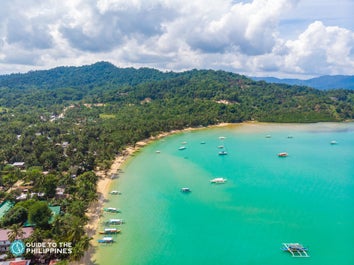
point(321, 50)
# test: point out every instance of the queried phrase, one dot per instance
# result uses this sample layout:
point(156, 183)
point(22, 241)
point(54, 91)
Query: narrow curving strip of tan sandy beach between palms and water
point(103, 186)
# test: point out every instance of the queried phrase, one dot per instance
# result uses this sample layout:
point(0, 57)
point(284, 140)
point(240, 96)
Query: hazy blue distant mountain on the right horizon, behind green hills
point(323, 82)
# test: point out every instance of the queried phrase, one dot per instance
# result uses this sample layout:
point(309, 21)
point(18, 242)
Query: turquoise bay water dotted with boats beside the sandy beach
point(307, 197)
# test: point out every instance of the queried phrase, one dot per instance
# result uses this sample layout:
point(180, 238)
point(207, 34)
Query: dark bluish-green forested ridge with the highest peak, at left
point(98, 74)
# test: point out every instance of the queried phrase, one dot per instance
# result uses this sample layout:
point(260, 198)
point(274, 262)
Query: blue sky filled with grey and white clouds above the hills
point(280, 38)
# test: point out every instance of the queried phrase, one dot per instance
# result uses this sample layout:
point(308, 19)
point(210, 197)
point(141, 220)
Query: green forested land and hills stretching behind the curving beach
point(69, 121)
